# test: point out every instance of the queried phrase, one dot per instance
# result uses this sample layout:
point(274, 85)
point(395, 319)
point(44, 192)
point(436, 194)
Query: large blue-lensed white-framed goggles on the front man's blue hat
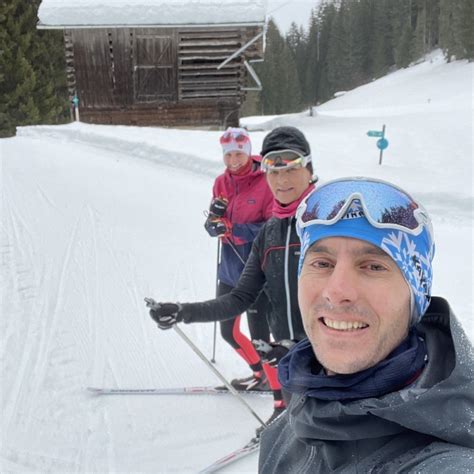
point(383, 204)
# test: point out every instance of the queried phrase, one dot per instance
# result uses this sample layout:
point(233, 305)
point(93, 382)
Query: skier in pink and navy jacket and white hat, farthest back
point(242, 202)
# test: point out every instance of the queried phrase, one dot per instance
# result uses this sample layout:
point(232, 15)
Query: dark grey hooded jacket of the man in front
point(426, 427)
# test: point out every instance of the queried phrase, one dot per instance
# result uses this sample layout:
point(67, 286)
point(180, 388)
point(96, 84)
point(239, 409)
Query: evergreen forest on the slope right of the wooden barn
point(348, 43)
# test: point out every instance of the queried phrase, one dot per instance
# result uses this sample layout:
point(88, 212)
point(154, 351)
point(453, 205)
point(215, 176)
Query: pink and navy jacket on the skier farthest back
point(250, 202)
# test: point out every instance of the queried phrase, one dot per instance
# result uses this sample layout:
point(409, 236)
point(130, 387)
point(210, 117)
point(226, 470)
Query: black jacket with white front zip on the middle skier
point(272, 265)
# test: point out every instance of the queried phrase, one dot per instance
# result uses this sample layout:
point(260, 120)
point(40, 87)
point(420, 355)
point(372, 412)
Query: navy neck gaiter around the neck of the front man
point(298, 372)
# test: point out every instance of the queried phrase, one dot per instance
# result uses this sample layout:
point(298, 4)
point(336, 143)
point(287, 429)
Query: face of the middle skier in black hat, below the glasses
point(288, 184)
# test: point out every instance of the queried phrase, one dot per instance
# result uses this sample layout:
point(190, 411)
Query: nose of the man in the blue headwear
point(341, 287)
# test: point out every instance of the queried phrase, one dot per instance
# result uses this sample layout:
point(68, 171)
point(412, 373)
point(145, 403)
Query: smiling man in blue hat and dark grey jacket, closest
point(384, 380)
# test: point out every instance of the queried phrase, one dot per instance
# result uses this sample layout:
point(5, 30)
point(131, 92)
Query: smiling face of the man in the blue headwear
point(355, 304)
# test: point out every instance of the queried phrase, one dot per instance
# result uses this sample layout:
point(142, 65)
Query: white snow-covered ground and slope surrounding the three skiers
point(94, 218)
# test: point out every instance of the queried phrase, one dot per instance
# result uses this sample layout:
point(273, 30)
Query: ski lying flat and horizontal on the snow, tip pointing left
point(205, 390)
